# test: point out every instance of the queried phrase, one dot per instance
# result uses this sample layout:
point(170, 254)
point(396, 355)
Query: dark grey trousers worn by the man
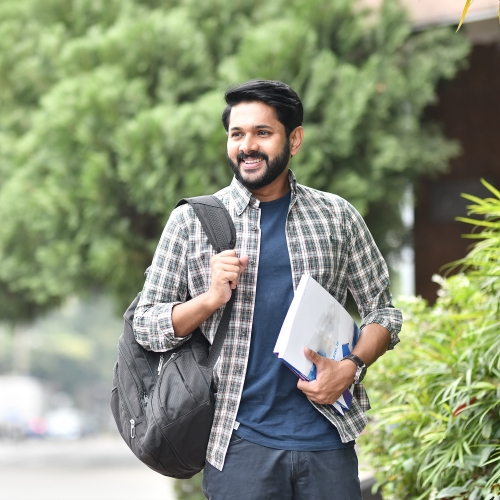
point(254, 472)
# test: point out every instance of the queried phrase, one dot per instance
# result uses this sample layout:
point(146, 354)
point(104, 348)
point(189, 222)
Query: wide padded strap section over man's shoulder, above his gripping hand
point(215, 220)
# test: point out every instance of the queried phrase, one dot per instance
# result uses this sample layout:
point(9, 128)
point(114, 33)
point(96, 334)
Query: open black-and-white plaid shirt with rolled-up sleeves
point(327, 239)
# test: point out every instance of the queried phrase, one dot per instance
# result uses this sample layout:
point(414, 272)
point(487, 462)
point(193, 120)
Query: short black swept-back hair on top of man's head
point(278, 95)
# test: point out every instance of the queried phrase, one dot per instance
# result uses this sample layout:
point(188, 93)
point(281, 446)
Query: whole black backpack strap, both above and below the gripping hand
point(221, 233)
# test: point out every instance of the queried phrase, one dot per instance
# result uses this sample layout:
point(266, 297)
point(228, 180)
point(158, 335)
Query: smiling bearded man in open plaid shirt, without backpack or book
point(268, 440)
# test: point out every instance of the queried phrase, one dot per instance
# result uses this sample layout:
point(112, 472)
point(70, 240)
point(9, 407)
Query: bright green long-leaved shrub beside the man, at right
point(438, 400)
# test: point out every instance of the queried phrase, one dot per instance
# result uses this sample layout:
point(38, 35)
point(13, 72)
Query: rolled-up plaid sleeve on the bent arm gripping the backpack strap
point(165, 286)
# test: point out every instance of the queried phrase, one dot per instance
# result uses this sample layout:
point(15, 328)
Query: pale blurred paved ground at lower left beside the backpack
point(88, 469)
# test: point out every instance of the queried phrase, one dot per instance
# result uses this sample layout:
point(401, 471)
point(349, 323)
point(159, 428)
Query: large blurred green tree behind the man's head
point(111, 113)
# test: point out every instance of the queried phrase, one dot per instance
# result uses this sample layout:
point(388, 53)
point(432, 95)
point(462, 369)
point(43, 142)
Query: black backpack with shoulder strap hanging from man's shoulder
point(163, 402)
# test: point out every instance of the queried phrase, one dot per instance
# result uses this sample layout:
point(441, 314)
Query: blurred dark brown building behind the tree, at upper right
point(468, 109)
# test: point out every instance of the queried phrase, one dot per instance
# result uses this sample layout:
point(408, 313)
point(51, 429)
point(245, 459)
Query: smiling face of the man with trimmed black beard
point(258, 149)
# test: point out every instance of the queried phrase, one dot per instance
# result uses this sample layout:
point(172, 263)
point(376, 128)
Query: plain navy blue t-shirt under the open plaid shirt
point(273, 412)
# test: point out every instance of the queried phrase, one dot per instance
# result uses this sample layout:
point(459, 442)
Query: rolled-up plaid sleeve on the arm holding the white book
point(368, 279)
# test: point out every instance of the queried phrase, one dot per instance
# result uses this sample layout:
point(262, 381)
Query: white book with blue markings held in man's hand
point(318, 321)
